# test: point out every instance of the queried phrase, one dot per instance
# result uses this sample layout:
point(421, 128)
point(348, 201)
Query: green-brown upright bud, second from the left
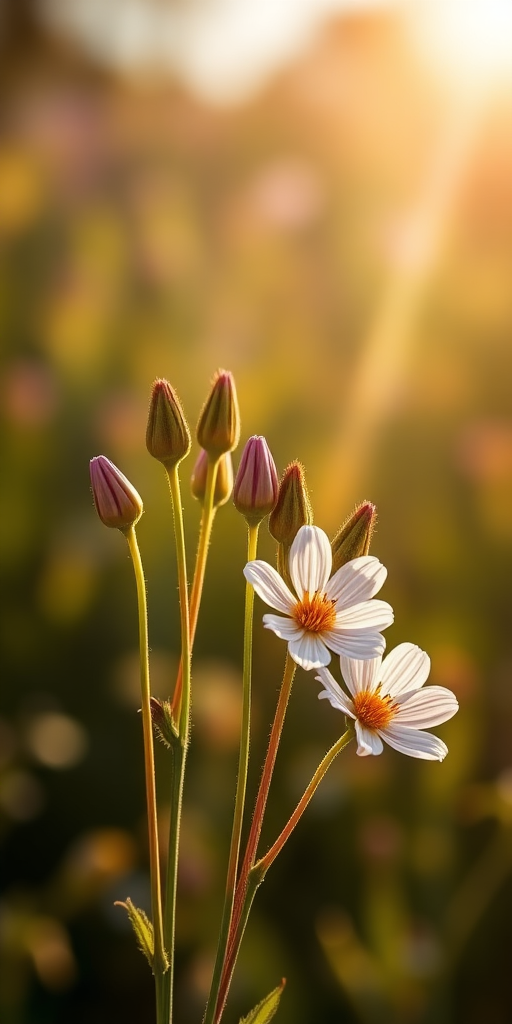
point(167, 437)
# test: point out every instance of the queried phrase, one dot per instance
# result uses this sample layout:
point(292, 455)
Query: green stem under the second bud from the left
point(181, 747)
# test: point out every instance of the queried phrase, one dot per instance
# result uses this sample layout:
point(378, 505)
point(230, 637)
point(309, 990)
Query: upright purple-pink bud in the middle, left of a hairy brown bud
point(257, 485)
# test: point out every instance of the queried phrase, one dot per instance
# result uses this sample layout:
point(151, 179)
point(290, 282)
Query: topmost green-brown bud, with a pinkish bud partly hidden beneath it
point(219, 428)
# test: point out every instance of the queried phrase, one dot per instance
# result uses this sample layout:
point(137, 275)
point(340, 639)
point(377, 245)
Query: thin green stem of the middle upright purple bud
point(241, 788)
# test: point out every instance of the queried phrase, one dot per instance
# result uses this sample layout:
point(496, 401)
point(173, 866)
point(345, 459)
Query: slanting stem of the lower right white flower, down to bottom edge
point(260, 870)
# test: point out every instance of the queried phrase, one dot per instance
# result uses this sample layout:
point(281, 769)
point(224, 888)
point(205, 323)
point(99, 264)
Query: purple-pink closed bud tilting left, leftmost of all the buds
point(118, 504)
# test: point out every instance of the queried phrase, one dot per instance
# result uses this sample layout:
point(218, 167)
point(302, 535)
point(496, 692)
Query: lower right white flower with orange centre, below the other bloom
point(388, 703)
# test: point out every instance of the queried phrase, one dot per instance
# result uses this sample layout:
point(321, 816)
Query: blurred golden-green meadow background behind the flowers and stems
point(338, 233)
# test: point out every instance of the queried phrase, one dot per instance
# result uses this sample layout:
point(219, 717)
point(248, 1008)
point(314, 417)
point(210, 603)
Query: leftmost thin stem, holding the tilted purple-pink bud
point(160, 959)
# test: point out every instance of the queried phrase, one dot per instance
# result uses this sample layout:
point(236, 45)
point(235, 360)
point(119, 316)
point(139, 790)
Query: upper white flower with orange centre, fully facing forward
point(334, 614)
